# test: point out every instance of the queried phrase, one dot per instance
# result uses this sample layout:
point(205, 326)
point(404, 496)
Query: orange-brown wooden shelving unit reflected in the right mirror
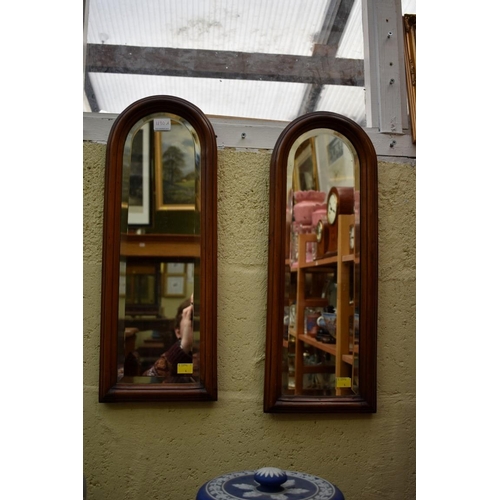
point(338, 358)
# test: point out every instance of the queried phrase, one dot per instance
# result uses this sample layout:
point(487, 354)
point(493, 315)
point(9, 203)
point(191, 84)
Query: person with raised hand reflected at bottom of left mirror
point(166, 366)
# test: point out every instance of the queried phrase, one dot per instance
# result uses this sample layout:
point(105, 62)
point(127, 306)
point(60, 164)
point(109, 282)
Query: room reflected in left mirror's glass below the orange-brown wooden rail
point(156, 293)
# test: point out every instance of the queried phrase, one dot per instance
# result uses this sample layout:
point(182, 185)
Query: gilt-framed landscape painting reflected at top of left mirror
point(177, 157)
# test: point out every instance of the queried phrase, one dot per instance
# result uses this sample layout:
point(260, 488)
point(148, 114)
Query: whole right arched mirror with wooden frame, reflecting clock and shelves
point(322, 278)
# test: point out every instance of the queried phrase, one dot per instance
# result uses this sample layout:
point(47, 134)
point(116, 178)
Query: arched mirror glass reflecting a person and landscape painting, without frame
point(159, 273)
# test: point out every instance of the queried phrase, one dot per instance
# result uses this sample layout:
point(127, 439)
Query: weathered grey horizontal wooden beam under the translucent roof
point(321, 68)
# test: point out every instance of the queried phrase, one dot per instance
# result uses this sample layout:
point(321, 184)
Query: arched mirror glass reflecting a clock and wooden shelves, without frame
point(321, 311)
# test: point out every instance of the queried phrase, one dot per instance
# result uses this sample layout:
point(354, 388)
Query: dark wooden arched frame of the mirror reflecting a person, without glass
point(110, 390)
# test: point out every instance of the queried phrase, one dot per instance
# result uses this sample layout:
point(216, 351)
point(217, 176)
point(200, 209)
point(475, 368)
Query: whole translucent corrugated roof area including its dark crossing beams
point(229, 57)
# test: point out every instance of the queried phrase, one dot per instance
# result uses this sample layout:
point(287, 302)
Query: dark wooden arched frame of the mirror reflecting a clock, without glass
point(365, 401)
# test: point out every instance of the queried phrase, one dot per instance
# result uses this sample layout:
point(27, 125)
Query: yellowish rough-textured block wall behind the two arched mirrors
point(166, 451)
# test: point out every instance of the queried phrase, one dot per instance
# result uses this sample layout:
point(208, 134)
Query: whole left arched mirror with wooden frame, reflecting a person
point(159, 275)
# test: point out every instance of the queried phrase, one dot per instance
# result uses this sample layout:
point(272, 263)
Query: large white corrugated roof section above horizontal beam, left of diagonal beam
point(268, 26)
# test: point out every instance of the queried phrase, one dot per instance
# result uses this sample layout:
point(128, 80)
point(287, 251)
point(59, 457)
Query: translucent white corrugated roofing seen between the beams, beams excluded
point(260, 26)
